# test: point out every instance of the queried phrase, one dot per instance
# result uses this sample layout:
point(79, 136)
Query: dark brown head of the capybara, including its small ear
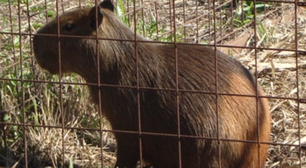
point(69, 38)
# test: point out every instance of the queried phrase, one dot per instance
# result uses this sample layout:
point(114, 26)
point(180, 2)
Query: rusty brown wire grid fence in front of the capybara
point(173, 28)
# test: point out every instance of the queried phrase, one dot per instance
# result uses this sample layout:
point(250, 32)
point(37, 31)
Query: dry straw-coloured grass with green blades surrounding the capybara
point(47, 108)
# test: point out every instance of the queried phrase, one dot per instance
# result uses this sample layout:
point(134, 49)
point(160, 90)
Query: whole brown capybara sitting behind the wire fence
point(175, 104)
